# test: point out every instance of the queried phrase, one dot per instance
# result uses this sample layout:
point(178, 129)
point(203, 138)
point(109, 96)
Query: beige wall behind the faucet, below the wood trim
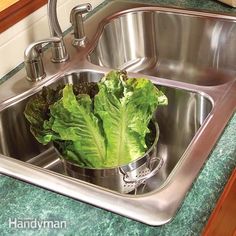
point(34, 27)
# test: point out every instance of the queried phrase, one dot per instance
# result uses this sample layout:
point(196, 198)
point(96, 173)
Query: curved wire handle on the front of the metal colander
point(127, 178)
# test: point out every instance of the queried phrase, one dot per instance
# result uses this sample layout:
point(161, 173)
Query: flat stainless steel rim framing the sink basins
point(155, 208)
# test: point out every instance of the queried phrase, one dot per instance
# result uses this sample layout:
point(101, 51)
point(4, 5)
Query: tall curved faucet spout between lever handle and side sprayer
point(59, 52)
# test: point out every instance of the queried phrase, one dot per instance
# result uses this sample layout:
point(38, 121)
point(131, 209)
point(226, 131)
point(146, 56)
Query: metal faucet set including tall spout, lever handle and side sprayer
point(33, 58)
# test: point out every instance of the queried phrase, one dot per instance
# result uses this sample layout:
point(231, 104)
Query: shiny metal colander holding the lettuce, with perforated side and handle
point(123, 179)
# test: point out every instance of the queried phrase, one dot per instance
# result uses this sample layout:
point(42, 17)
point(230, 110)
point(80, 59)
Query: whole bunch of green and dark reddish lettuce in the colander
point(97, 127)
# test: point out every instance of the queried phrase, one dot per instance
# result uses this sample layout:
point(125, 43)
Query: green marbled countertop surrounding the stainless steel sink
point(24, 201)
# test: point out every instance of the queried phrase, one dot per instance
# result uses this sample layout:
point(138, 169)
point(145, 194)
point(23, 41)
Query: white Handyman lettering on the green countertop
point(36, 224)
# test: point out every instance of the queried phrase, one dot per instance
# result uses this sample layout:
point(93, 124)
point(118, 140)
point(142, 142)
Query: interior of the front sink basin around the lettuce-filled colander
point(178, 124)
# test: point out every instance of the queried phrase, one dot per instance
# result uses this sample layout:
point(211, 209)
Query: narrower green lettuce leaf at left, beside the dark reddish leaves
point(73, 120)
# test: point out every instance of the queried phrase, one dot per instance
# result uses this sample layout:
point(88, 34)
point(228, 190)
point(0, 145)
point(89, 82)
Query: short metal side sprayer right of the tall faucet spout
point(76, 20)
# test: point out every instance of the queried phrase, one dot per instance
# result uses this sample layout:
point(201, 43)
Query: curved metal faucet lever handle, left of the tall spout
point(33, 59)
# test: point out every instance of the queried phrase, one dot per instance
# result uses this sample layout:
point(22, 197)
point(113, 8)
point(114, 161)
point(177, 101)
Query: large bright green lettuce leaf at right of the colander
point(126, 107)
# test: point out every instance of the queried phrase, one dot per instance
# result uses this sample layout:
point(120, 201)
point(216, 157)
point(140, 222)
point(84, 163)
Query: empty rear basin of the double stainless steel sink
point(168, 45)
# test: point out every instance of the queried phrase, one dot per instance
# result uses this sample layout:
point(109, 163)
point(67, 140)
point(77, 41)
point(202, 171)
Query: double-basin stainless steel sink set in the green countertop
point(186, 54)
